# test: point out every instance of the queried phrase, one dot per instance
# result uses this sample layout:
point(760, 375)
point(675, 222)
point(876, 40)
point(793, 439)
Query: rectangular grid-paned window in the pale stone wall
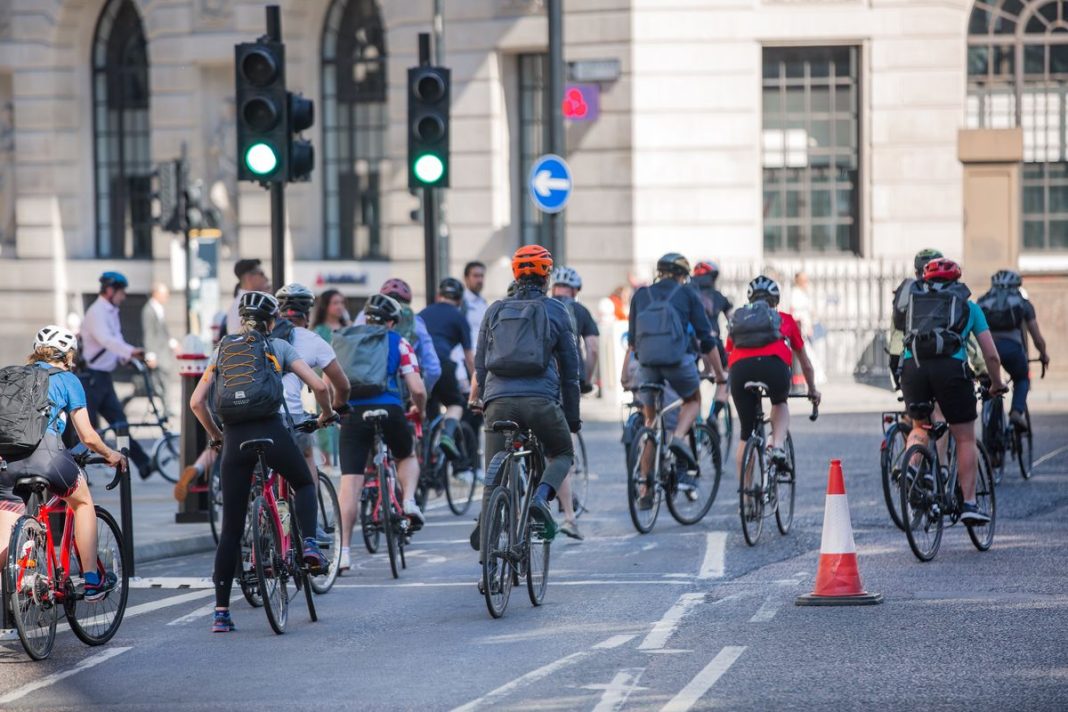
point(811, 150)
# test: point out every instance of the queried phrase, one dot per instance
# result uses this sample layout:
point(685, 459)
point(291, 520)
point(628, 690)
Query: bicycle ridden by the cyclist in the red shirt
point(777, 486)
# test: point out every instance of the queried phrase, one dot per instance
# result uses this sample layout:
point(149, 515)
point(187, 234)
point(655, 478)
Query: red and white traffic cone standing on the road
point(838, 579)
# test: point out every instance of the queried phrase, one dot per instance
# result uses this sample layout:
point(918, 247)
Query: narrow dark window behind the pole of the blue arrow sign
point(533, 140)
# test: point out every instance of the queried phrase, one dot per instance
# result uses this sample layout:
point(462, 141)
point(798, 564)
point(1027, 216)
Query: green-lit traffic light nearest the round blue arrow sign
point(429, 128)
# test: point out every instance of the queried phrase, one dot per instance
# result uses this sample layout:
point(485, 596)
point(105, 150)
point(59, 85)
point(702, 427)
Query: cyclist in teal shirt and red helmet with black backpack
point(935, 367)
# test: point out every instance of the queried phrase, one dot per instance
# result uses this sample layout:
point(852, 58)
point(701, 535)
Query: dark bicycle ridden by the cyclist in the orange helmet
point(511, 544)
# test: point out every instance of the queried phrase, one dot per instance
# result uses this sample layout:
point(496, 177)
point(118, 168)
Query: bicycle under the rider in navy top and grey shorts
point(651, 452)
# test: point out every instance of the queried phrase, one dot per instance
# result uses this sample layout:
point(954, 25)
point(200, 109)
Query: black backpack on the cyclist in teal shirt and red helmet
point(936, 321)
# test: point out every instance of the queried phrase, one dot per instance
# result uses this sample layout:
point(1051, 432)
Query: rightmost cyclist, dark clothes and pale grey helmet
point(1008, 313)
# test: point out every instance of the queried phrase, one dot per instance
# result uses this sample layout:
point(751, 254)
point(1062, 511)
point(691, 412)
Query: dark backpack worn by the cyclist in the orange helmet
point(519, 338)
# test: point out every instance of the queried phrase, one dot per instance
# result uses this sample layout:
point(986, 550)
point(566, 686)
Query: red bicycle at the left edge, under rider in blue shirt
point(39, 583)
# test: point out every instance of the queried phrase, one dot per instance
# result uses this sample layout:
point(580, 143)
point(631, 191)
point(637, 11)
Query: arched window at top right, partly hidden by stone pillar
point(1018, 76)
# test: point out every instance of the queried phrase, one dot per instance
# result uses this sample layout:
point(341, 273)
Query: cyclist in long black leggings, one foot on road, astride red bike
point(259, 311)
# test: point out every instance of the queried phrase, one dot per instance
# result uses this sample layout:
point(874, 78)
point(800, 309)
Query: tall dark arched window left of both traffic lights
point(122, 143)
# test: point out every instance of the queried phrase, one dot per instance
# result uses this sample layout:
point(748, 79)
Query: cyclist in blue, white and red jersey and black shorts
point(358, 437)
